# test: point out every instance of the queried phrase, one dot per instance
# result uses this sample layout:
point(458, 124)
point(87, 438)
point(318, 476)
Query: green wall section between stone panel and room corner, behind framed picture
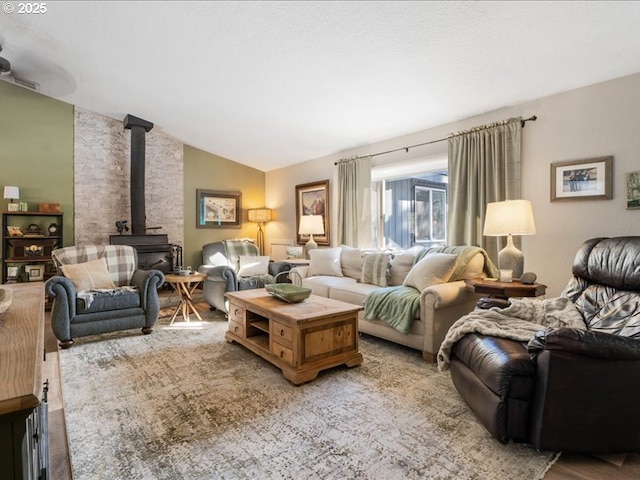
point(206, 171)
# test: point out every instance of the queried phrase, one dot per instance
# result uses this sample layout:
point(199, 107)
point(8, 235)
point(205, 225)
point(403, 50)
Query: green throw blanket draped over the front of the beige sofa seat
point(396, 306)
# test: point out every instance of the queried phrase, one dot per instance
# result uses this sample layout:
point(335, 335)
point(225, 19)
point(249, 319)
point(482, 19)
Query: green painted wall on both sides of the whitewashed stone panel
point(36, 154)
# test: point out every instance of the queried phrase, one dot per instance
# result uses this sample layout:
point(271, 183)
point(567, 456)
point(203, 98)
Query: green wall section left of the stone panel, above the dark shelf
point(36, 150)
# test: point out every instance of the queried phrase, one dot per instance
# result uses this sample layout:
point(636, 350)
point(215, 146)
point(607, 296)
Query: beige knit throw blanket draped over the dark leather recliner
point(519, 321)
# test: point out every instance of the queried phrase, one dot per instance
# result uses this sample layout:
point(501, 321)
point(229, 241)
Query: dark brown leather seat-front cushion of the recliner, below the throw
point(503, 365)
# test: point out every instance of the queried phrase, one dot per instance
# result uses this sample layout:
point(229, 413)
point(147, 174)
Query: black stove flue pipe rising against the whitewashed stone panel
point(138, 128)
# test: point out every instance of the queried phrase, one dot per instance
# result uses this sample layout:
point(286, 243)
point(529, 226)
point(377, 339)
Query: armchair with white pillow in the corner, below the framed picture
point(233, 265)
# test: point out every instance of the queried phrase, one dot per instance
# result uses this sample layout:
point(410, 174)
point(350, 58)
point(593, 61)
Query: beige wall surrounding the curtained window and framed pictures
point(589, 122)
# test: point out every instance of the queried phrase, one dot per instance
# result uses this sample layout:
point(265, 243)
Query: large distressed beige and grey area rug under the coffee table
point(184, 404)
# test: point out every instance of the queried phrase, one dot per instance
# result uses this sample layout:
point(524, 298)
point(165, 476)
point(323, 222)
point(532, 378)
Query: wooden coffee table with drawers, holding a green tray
point(301, 339)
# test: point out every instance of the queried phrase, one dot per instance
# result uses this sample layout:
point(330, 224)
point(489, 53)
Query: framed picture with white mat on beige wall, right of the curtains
point(588, 179)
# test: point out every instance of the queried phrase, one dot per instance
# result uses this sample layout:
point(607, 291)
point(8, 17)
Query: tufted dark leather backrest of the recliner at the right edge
point(606, 285)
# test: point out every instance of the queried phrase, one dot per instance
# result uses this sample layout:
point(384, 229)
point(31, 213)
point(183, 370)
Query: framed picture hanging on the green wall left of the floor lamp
point(218, 209)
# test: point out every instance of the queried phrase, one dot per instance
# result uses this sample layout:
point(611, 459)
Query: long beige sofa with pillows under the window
point(338, 273)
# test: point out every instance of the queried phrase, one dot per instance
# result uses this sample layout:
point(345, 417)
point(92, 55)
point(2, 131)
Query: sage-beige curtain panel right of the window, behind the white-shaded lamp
point(484, 166)
